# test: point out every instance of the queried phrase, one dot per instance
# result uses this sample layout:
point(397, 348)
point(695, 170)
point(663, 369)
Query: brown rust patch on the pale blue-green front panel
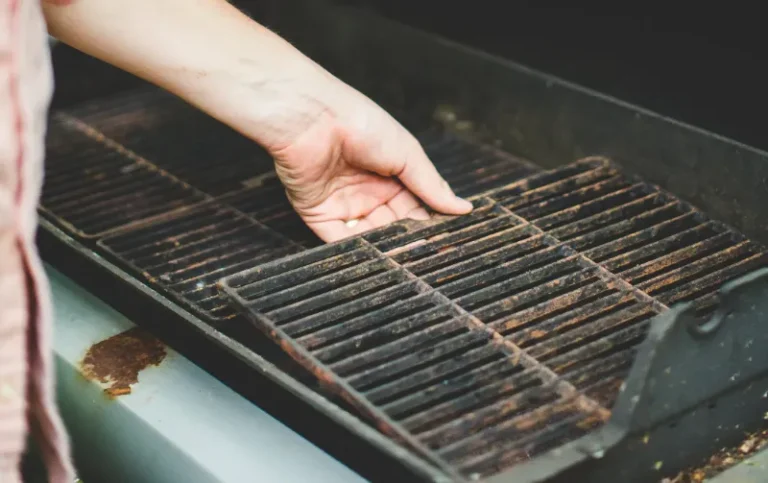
point(118, 360)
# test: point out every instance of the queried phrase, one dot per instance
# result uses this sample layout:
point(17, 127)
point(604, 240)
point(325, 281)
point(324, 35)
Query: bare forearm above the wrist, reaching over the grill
point(205, 51)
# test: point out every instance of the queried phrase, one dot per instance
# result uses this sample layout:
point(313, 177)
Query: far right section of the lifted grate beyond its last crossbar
point(657, 243)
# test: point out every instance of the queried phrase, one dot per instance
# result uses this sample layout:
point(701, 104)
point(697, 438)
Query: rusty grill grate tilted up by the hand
point(485, 340)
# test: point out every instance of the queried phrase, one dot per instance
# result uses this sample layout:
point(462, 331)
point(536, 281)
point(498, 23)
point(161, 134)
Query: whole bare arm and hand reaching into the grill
point(346, 164)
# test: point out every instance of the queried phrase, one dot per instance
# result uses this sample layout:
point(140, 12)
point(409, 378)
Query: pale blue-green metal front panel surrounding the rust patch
point(179, 423)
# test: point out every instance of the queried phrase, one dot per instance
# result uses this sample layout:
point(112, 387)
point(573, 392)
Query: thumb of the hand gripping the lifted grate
point(420, 176)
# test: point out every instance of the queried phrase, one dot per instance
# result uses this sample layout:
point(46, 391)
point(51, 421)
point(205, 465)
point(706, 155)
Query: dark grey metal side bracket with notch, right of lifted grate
point(691, 392)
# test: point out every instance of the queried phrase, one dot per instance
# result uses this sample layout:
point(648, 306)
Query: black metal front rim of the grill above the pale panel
point(252, 368)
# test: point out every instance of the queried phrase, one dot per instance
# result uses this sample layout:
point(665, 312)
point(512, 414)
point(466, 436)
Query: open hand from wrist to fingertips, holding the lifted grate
point(352, 167)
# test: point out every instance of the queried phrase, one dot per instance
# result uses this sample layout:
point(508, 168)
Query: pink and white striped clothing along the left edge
point(26, 372)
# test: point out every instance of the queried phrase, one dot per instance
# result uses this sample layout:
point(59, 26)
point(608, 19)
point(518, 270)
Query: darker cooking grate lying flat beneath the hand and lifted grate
point(183, 200)
